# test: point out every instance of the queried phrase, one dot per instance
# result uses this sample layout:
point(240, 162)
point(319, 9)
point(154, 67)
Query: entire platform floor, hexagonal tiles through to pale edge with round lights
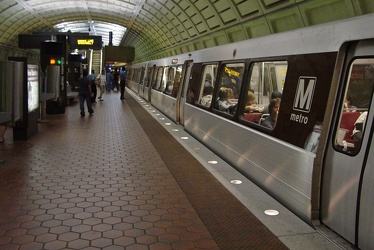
point(128, 178)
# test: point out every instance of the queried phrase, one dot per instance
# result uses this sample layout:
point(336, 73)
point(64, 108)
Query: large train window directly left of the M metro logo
point(263, 92)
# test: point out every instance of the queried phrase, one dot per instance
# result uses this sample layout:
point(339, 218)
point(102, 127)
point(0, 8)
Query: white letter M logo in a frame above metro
point(304, 93)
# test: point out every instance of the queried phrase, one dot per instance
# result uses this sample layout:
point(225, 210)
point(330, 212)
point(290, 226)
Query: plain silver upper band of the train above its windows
point(317, 39)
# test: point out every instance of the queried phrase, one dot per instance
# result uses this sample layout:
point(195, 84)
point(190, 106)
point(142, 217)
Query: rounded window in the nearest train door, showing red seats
point(354, 110)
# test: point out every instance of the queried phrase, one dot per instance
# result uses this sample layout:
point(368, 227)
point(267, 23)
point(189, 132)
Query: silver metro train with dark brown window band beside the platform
point(288, 111)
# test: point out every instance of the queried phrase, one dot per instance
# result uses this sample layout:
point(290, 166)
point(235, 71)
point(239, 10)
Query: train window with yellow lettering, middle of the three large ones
point(228, 89)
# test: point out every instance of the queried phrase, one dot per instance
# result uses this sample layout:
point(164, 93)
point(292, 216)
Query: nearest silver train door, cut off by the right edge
point(347, 196)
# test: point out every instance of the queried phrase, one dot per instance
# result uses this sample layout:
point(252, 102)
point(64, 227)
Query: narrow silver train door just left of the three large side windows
point(186, 70)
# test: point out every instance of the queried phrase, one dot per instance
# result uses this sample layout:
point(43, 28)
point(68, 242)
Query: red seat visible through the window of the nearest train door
point(347, 124)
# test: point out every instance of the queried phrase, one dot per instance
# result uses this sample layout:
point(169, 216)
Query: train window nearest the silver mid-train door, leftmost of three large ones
point(207, 84)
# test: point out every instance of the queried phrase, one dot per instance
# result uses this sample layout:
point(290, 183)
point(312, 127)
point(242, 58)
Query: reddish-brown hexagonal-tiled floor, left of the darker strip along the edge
point(96, 183)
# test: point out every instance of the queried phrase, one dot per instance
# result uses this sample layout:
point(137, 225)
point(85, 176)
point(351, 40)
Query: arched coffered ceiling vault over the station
point(158, 28)
